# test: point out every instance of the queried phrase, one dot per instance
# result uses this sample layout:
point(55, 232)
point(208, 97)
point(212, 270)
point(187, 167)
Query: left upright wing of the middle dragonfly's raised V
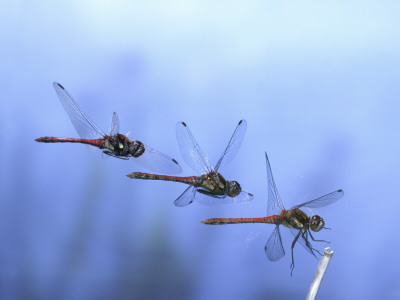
point(191, 151)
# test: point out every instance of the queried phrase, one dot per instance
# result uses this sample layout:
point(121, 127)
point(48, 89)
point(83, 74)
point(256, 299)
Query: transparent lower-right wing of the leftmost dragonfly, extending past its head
point(156, 161)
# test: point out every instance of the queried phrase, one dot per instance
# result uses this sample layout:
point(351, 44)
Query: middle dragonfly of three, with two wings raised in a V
point(211, 187)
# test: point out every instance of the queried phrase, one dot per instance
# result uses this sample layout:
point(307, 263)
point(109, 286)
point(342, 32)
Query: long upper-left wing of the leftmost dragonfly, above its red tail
point(83, 125)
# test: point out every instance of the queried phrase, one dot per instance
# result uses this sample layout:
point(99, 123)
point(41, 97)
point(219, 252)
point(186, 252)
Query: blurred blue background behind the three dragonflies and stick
point(318, 84)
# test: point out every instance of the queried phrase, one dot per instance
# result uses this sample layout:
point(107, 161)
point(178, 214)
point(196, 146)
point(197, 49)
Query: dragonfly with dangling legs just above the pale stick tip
point(295, 219)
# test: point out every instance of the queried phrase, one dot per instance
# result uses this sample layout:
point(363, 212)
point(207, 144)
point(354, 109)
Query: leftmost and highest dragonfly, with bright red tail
point(114, 144)
